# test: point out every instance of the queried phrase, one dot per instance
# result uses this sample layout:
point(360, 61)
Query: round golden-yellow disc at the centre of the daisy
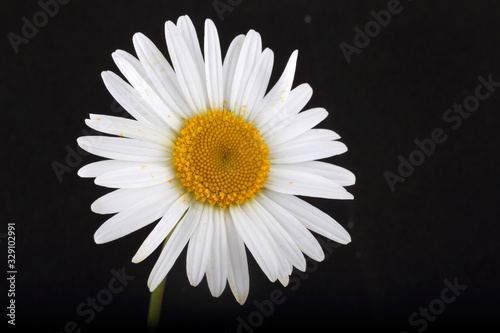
point(221, 158)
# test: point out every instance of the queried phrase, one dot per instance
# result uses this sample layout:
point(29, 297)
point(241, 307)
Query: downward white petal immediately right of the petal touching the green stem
point(198, 252)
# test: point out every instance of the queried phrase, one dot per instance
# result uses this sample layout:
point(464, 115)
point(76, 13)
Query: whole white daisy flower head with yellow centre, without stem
point(216, 159)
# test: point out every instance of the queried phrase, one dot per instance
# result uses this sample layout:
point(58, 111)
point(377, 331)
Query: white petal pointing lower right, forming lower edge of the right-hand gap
point(312, 218)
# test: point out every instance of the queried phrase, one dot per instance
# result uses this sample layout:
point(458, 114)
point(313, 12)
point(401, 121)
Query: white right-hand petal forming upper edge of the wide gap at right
point(284, 178)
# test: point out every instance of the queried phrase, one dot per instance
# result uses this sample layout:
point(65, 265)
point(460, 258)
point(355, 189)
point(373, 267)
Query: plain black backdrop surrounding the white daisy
point(441, 223)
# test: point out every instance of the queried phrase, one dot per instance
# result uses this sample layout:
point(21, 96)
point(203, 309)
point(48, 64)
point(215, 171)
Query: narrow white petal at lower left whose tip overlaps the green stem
point(174, 246)
